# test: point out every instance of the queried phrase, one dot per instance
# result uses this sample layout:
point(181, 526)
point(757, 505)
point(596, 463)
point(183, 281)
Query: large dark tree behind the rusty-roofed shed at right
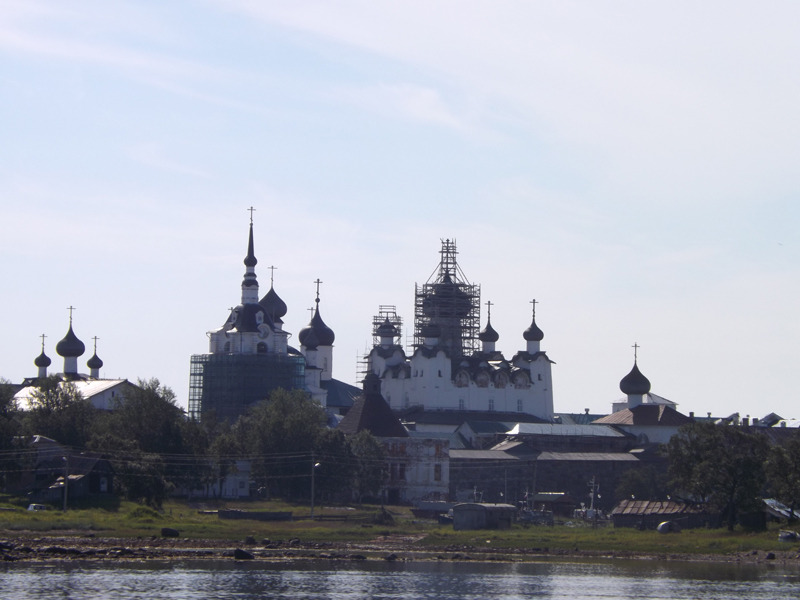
point(720, 465)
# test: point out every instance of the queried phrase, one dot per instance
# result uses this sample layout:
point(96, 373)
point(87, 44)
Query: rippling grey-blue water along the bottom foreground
point(178, 580)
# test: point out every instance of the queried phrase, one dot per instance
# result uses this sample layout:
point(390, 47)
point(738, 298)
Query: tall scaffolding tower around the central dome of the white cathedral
point(449, 301)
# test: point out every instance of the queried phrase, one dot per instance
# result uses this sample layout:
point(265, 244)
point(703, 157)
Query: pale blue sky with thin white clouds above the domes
point(630, 165)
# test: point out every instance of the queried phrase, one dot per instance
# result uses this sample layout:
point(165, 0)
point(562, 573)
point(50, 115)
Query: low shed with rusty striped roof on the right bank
point(647, 514)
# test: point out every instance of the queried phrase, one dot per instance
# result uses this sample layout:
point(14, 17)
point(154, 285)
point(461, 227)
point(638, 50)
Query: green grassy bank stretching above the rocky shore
point(194, 521)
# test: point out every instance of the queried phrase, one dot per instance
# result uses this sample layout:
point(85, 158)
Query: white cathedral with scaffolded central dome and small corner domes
point(454, 365)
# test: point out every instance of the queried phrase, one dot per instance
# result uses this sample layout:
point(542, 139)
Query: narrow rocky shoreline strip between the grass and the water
point(386, 548)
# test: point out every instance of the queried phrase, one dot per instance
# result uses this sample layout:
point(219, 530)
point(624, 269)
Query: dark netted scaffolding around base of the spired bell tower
point(228, 384)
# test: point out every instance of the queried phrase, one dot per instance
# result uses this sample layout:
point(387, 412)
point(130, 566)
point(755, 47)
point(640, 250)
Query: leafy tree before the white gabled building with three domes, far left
point(59, 411)
